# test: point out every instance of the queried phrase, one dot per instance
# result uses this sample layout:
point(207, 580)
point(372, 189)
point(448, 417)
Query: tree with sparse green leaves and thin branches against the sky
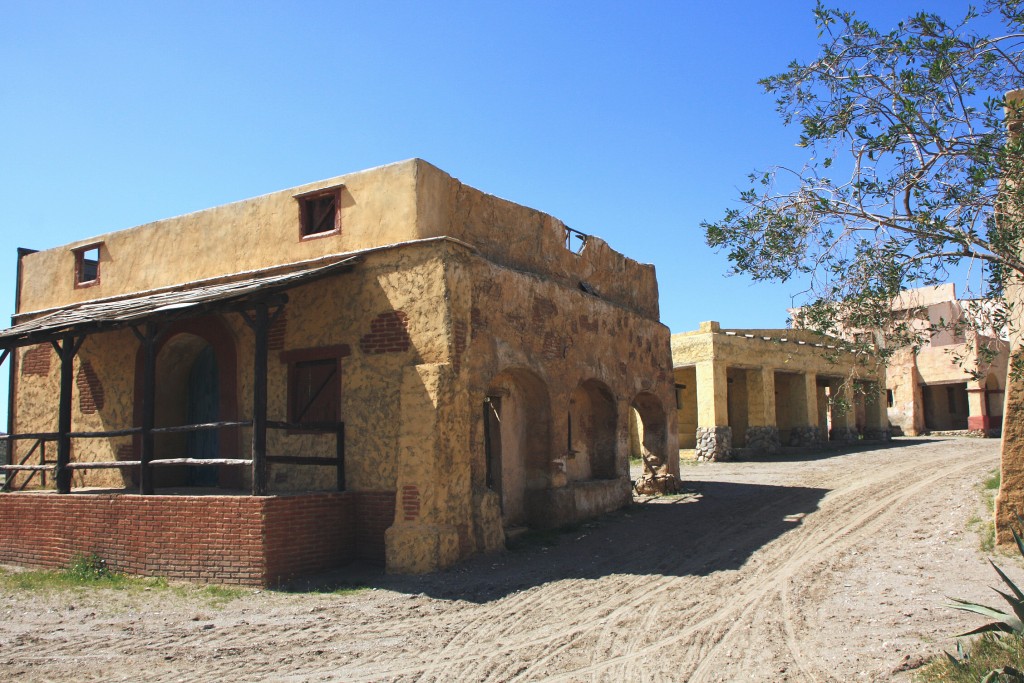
point(907, 180)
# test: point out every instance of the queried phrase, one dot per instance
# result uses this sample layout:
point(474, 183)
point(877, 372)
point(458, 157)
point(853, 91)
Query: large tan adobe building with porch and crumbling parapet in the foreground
point(388, 365)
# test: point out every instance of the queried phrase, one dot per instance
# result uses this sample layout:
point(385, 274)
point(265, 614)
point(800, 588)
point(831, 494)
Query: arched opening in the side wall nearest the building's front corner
point(518, 441)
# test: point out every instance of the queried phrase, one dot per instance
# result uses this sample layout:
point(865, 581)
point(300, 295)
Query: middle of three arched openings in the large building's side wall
point(592, 423)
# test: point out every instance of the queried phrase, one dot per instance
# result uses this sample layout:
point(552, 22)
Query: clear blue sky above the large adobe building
point(631, 121)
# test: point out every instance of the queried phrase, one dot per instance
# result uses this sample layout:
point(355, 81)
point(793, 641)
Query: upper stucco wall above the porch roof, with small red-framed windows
point(406, 201)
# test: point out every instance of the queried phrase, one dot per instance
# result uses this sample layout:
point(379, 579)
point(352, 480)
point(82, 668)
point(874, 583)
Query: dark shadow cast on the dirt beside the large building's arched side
point(714, 527)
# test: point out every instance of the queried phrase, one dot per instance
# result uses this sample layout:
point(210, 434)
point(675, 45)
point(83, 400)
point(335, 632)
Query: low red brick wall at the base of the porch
point(224, 539)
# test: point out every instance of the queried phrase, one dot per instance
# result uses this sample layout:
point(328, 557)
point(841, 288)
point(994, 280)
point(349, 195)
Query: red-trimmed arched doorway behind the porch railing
point(195, 383)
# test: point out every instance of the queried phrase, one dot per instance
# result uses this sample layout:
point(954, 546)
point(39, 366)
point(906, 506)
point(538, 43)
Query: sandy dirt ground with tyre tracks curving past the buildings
point(816, 569)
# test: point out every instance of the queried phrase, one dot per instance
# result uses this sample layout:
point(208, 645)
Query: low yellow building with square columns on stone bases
point(754, 392)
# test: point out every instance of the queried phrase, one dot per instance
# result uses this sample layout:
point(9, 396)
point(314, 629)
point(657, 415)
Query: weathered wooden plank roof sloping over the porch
point(187, 302)
